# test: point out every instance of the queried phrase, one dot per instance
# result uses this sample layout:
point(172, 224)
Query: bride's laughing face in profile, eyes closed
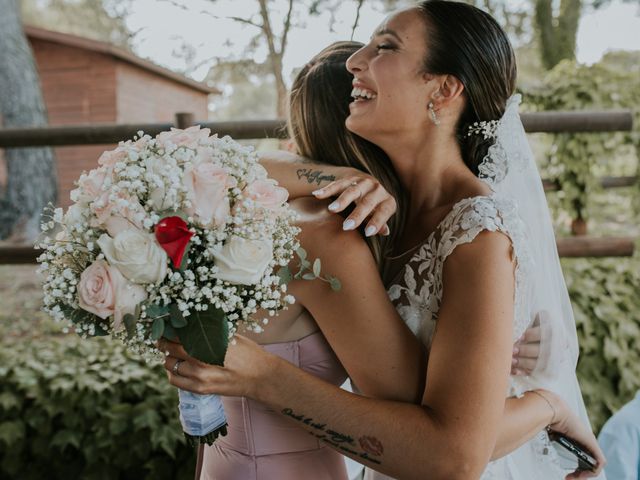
point(391, 91)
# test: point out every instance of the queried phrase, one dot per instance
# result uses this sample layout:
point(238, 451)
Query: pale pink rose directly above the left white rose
point(115, 216)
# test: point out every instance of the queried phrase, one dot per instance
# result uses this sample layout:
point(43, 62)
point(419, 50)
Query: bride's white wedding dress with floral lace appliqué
point(417, 293)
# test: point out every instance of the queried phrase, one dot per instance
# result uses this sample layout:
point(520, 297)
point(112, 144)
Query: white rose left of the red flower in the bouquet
point(136, 254)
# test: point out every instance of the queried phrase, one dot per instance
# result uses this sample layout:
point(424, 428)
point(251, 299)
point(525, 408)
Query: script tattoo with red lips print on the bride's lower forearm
point(366, 447)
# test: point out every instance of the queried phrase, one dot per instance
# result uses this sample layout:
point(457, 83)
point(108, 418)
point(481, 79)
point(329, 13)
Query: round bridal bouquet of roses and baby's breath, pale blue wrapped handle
point(183, 236)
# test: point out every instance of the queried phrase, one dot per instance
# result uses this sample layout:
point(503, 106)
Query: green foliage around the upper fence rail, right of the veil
point(576, 160)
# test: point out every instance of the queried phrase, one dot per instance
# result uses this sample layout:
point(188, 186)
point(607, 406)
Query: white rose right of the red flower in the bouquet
point(243, 261)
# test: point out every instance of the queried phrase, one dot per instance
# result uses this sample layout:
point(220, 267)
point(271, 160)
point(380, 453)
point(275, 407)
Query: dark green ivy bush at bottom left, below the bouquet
point(87, 409)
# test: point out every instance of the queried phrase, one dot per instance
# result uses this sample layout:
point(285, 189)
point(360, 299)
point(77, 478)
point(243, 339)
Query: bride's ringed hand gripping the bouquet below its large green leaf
point(246, 368)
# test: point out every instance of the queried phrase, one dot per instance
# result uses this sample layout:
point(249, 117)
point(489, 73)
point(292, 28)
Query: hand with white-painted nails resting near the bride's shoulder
point(372, 201)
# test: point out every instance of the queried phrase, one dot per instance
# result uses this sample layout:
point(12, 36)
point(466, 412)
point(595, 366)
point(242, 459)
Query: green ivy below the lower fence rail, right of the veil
point(604, 294)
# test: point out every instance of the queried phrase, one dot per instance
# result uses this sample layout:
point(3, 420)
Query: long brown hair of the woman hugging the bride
point(318, 107)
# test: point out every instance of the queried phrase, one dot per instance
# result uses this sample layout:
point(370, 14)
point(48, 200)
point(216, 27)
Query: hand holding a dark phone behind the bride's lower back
point(569, 425)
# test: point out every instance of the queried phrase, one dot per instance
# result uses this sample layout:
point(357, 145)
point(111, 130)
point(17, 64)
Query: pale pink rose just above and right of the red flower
point(207, 186)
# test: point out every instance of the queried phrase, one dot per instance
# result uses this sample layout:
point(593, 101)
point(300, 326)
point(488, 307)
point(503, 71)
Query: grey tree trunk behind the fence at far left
point(31, 178)
